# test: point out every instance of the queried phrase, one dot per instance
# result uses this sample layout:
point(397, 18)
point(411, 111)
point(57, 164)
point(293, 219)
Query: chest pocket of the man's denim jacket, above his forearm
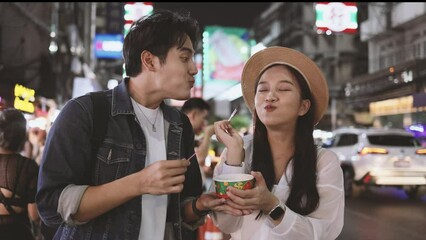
point(112, 161)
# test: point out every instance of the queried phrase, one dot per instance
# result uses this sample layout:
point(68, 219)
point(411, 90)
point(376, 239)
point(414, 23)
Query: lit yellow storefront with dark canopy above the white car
point(395, 97)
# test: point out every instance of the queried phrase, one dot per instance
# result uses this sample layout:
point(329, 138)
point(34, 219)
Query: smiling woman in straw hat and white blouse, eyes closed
point(299, 188)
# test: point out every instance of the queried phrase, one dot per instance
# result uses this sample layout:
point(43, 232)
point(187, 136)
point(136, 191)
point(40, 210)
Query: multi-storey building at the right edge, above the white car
point(393, 92)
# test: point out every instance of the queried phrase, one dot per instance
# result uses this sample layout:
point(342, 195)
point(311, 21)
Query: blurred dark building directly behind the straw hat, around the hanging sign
point(340, 56)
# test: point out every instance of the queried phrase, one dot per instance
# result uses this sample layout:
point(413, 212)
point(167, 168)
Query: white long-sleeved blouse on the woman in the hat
point(326, 222)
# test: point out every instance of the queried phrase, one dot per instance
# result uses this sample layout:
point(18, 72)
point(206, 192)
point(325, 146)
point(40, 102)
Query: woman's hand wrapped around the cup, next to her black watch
point(258, 198)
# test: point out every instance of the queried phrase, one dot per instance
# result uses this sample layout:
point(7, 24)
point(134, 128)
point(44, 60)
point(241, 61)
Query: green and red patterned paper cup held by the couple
point(238, 181)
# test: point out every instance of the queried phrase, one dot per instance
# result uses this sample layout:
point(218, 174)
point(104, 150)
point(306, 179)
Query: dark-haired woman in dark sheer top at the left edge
point(18, 179)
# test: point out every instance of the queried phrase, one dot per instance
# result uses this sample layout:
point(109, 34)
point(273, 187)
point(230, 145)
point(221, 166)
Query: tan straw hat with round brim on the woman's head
point(263, 59)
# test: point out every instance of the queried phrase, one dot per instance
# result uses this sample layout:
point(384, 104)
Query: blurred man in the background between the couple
point(197, 111)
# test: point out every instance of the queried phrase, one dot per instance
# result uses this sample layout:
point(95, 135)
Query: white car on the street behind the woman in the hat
point(380, 157)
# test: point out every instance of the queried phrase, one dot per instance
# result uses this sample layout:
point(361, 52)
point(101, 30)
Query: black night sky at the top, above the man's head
point(228, 14)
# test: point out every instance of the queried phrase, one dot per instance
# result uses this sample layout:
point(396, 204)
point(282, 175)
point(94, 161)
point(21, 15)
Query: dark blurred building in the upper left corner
point(43, 47)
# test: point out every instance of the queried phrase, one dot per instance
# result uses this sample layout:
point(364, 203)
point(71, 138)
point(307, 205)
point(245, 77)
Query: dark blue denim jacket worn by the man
point(67, 159)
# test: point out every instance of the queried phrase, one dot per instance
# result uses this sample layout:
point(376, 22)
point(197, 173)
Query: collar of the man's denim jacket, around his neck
point(121, 103)
